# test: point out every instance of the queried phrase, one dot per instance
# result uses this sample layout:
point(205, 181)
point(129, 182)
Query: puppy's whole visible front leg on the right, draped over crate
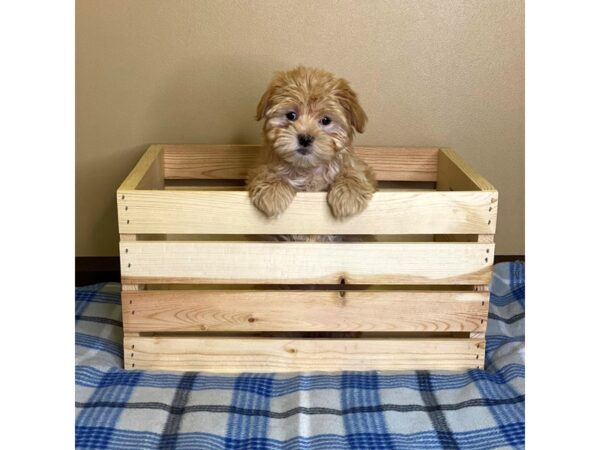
point(351, 191)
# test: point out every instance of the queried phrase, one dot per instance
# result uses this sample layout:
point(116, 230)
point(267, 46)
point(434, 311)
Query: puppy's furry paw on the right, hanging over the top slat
point(349, 197)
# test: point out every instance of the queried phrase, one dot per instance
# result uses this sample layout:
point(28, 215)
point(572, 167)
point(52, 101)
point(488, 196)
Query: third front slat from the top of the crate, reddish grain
point(247, 311)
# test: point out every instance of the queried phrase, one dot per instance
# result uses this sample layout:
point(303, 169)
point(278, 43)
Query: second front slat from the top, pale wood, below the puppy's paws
point(303, 262)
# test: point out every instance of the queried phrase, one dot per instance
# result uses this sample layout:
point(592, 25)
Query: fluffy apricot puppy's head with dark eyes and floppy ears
point(310, 115)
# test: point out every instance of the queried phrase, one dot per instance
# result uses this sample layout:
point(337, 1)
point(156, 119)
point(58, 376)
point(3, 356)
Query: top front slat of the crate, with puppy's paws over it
point(231, 212)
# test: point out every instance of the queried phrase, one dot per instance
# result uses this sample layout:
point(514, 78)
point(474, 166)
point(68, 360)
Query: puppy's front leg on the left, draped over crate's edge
point(269, 192)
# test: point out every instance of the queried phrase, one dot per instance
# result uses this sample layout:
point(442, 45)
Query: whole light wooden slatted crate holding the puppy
point(203, 292)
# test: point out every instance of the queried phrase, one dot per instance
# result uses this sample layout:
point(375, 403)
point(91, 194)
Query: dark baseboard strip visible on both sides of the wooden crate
point(99, 269)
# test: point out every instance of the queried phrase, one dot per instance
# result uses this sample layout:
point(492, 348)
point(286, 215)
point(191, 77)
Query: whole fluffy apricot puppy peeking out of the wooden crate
point(310, 117)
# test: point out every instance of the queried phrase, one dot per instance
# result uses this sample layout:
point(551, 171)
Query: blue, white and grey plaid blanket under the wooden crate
point(475, 409)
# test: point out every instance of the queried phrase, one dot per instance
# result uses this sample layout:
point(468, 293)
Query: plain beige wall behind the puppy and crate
point(447, 73)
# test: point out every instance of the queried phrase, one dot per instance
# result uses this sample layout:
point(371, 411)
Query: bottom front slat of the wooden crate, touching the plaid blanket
point(234, 355)
